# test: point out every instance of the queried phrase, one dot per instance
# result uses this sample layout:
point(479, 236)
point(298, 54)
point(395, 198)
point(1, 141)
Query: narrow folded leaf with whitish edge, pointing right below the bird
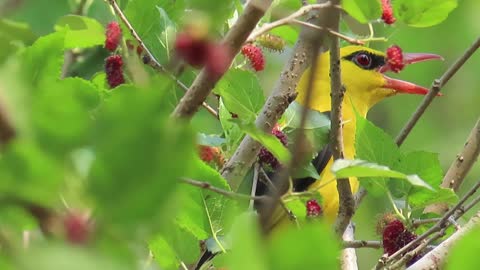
point(359, 168)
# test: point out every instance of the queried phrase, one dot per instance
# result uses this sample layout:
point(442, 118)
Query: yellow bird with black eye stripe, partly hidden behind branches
point(365, 83)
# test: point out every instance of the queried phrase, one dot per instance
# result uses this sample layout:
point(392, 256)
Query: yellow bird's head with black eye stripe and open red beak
point(363, 74)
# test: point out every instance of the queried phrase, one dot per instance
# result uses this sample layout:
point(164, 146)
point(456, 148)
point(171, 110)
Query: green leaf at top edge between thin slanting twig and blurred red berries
point(149, 17)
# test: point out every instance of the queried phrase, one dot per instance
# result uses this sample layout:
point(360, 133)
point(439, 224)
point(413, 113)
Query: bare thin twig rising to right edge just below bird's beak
point(435, 89)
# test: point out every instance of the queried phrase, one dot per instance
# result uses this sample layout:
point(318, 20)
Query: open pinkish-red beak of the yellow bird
point(403, 86)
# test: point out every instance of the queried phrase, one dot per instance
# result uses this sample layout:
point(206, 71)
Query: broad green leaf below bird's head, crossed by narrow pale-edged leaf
point(374, 145)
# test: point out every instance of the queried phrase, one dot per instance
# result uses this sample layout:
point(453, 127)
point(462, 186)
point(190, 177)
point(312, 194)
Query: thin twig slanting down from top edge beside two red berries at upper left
point(150, 59)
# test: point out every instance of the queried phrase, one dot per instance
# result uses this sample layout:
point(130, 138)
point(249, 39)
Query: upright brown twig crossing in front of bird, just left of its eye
point(346, 202)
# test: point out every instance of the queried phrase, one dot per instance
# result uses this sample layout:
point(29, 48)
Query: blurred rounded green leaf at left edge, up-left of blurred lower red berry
point(30, 174)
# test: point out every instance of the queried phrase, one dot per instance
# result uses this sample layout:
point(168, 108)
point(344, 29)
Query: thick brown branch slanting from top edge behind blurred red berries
point(234, 39)
